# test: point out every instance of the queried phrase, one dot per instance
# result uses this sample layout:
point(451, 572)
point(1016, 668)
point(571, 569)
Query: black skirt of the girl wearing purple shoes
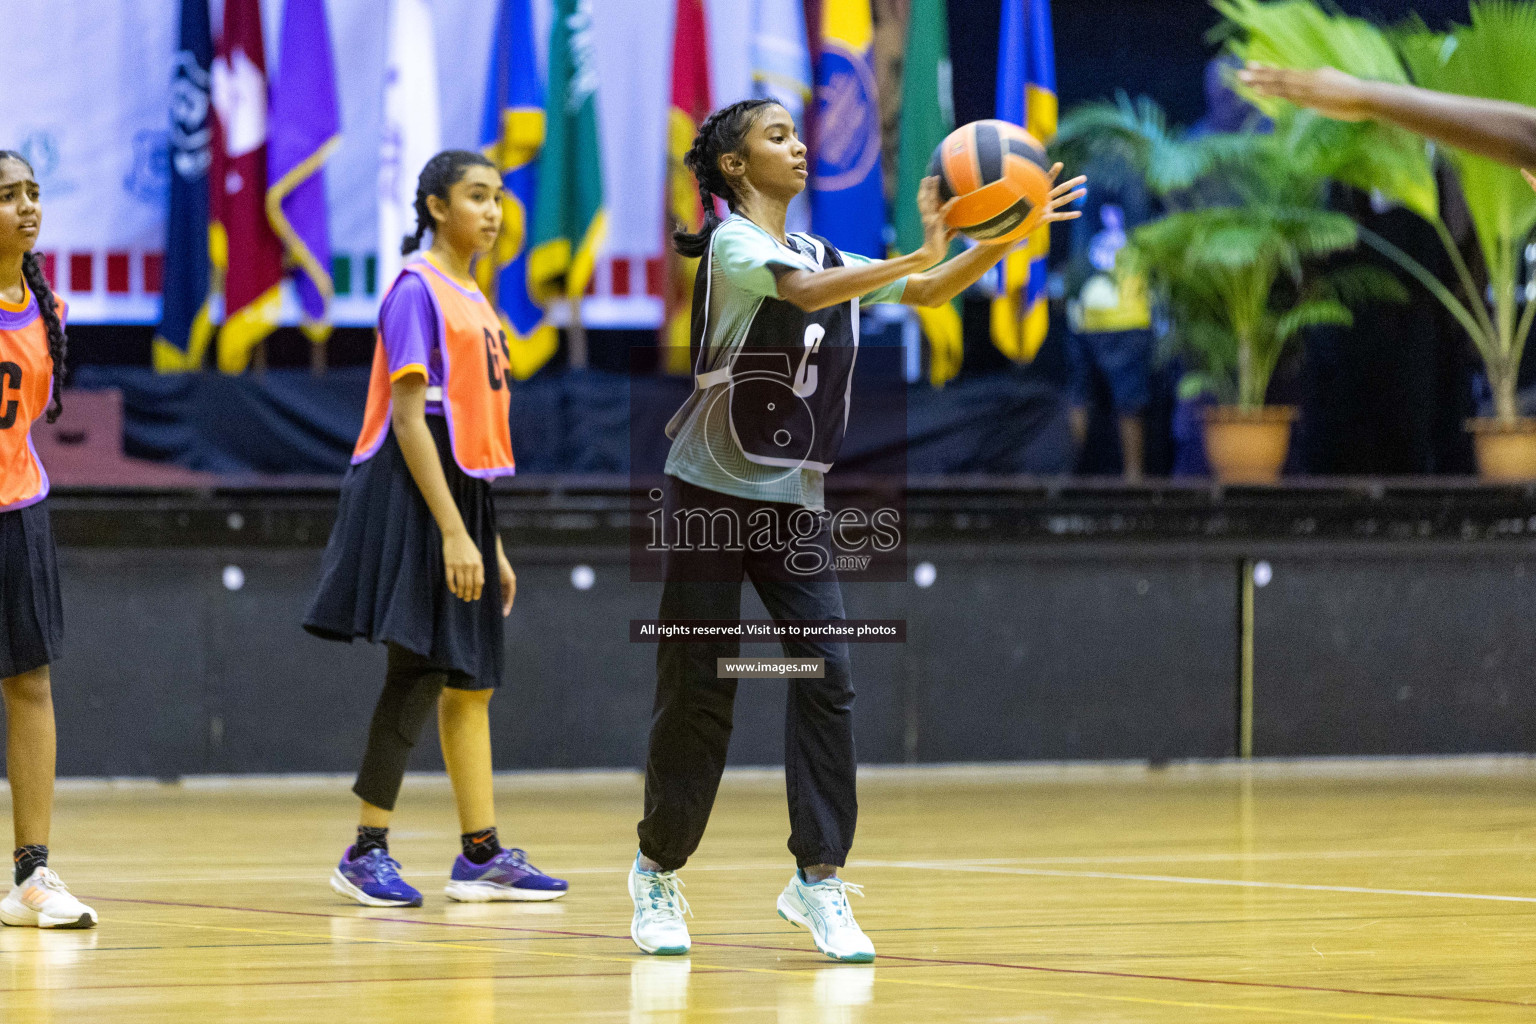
point(383, 575)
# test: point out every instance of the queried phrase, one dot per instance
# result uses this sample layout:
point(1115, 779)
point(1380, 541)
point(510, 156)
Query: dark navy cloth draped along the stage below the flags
point(290, 421)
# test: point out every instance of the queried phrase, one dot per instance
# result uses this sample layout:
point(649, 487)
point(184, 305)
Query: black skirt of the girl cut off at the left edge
point(31, 615)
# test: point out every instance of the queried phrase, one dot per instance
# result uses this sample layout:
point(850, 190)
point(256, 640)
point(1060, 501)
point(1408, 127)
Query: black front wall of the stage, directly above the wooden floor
point(1062, 621)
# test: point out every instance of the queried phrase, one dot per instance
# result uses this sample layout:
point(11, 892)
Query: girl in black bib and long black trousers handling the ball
point(769, 299)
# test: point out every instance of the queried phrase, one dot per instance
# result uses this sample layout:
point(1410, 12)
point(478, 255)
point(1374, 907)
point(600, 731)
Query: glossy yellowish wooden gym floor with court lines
point(1400, 891)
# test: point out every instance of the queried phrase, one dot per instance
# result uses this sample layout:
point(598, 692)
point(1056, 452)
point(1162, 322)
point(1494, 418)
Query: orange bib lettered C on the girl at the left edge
point(27, 385)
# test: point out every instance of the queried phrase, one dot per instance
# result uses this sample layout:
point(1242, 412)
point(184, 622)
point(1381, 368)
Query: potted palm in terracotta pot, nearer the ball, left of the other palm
point(1237, 263)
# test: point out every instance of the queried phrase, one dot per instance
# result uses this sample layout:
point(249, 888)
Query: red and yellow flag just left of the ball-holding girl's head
point(690, 105)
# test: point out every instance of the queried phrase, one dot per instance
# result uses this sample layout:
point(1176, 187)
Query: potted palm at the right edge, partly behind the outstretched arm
point(1492, 58)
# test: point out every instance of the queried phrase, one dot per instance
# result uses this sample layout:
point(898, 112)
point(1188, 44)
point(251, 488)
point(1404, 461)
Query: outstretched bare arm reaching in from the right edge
point(1489, 128)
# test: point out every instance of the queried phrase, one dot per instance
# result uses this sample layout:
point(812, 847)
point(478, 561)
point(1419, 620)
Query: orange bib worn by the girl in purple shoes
point(477, 382)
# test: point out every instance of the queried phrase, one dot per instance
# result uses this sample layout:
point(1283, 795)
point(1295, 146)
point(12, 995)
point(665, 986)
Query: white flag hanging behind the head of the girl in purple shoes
point(412, 133)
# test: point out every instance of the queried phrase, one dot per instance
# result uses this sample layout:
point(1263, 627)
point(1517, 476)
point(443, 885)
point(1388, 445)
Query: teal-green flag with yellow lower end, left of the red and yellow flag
point(569, 220)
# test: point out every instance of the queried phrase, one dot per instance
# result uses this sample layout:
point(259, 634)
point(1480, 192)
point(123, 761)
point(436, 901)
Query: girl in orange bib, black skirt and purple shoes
point(415, 560)
